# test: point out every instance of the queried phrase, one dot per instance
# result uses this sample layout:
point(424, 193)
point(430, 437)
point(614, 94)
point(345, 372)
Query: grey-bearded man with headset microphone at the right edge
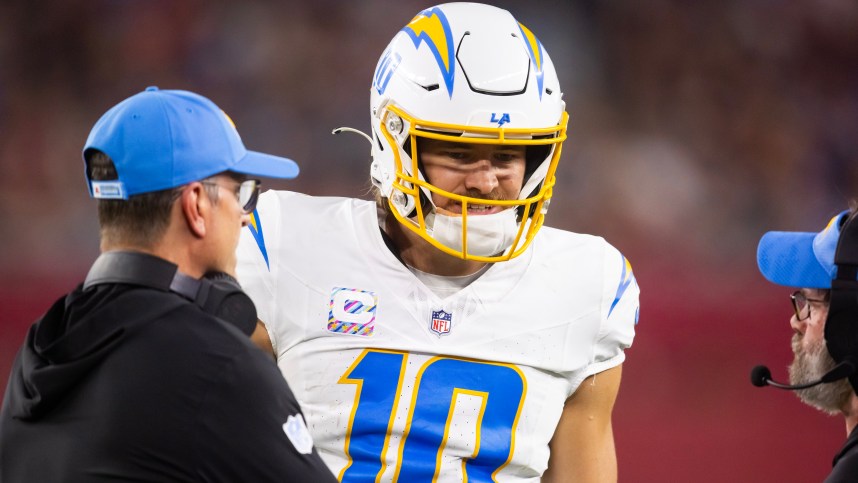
point(825, 323)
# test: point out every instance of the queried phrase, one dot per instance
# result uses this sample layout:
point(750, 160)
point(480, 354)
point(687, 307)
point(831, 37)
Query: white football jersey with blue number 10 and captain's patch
point(398, 384)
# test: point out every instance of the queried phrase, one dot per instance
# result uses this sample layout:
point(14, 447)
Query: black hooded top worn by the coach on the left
point(130, 383)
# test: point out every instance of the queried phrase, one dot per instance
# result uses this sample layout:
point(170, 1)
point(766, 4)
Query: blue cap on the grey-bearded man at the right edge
point(799, 259)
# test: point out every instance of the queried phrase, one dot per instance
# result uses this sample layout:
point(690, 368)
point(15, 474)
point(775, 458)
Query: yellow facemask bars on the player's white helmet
point(423, 220)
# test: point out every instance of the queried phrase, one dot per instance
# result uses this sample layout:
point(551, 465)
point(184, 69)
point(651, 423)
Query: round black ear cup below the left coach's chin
point(223, 297)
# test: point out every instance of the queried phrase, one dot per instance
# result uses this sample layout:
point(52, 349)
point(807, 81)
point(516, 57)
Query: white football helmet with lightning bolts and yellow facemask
point(466, 72)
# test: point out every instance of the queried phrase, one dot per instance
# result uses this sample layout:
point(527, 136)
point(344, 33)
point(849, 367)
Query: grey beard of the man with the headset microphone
point(811, 364)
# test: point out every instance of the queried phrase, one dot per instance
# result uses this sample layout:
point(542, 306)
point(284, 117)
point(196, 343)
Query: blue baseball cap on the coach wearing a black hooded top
point(161, 139)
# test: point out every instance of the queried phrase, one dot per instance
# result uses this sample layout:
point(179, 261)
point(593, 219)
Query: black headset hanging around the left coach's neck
point(217, 293)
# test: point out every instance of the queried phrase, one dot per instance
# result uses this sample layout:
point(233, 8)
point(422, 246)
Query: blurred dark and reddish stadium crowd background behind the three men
point(695, 127)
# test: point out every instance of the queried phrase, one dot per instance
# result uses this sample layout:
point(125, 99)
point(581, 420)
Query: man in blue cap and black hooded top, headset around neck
point(145, 371)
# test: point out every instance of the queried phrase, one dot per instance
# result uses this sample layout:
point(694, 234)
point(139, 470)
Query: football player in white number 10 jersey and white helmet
point(442, 333)
